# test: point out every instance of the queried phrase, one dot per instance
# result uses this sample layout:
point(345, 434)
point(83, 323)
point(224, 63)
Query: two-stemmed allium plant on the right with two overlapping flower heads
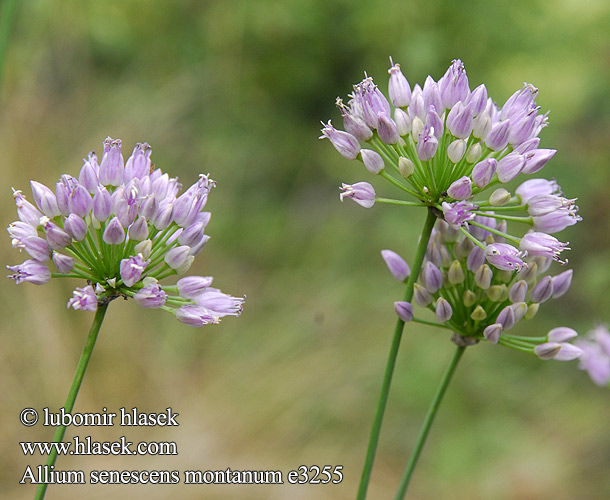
point(487, 263)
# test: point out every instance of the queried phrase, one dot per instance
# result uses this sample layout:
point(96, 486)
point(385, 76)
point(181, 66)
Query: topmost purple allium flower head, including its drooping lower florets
point(445, 144)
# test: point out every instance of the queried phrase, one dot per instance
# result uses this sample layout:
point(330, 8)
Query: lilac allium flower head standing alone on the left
point(123, 227)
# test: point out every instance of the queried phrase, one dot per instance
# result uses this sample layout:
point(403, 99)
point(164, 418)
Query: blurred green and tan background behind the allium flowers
point(237, 89)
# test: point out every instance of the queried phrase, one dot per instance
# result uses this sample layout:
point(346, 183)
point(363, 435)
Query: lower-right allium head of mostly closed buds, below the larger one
point(482, 302)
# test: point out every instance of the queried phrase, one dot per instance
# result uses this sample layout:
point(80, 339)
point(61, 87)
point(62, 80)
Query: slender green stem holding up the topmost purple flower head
point(389, 370)
